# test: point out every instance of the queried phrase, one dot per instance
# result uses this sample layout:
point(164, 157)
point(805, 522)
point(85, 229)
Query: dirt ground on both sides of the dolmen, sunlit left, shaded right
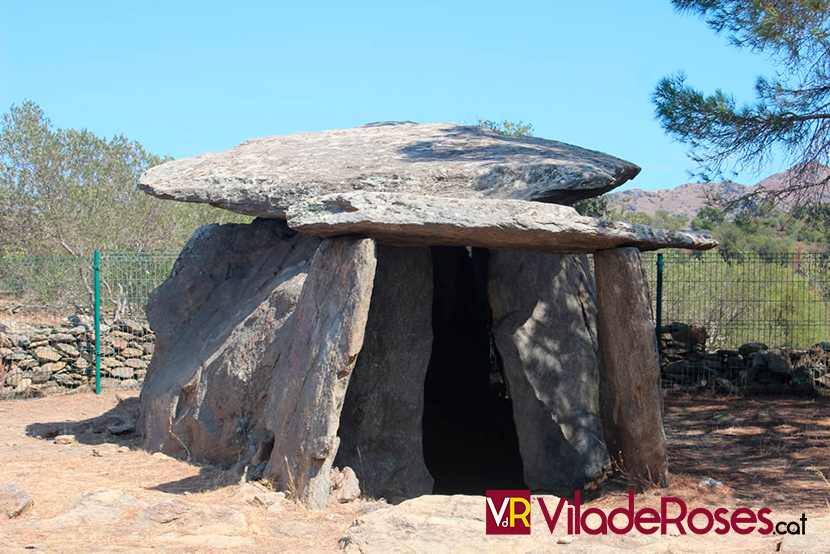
point(767, 452)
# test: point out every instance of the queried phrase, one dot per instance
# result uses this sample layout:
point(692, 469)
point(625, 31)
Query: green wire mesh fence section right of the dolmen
point(742, 322)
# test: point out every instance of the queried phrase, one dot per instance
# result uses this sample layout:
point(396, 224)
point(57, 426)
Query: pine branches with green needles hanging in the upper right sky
point(791, 115)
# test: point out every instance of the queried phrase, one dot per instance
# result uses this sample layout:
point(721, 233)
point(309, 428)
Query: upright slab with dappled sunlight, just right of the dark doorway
point(544, 325)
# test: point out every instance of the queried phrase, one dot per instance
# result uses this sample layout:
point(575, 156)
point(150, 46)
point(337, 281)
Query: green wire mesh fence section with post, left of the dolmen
point(71, 322)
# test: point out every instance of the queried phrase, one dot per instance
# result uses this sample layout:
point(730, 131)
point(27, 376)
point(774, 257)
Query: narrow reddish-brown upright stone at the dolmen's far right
point(630, 400)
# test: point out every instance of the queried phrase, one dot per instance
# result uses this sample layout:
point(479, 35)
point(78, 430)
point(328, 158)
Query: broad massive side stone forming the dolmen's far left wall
point(218, 321)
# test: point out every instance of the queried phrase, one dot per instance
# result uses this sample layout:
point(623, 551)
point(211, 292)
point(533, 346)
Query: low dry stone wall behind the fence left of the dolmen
point(39, 359)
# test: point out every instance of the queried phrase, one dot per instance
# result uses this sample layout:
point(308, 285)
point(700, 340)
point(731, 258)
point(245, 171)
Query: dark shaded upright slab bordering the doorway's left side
point(380, 427)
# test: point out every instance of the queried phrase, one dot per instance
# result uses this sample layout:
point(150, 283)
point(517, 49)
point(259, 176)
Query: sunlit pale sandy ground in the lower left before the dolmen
point(53, 474)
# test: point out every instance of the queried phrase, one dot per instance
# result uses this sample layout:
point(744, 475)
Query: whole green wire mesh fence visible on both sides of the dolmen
point(738, 322)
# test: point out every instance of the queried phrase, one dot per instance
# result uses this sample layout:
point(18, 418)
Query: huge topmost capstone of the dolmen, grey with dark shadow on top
point(265, 176)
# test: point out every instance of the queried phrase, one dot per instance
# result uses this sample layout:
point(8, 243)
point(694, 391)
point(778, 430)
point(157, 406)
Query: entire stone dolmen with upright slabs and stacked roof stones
point(414, 301)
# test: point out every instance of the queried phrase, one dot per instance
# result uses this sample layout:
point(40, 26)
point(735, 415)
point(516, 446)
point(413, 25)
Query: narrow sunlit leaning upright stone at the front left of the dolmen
point(321, 342)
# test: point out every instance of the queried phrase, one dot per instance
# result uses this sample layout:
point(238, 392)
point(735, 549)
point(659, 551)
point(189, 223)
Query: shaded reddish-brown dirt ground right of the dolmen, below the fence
point(772, 451)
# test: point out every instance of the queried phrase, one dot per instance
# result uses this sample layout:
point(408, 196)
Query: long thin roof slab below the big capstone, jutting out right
point(407, 220)
